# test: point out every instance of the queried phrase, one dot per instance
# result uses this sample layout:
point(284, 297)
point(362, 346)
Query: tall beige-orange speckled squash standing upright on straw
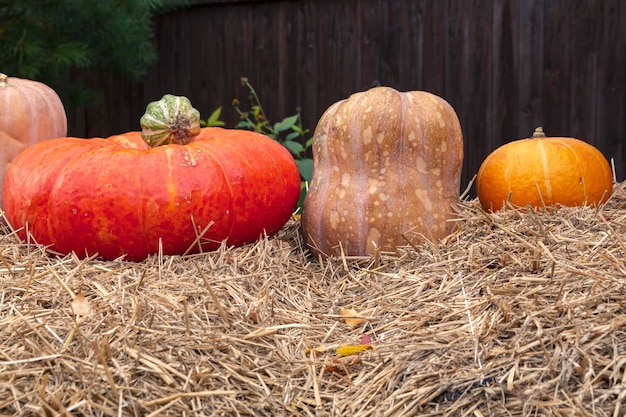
point(387, 168)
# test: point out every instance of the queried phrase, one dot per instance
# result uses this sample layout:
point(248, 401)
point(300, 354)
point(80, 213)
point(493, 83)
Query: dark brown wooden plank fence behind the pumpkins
point(506, 66)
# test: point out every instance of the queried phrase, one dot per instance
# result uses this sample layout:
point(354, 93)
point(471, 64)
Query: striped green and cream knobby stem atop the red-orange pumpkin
point(171, 120)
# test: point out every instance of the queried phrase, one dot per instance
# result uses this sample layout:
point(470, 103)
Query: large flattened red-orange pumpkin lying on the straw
point(120, 197)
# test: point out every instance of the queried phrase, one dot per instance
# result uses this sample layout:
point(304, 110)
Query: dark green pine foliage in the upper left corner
point(45, 39)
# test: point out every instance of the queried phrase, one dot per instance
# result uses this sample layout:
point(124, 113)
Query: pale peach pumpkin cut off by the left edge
point(31, 113)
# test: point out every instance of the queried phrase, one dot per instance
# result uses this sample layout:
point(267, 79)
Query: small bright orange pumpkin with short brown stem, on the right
point(544, 171)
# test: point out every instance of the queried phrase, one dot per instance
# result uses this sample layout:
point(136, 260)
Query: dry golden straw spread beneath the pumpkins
point(517, 314)
